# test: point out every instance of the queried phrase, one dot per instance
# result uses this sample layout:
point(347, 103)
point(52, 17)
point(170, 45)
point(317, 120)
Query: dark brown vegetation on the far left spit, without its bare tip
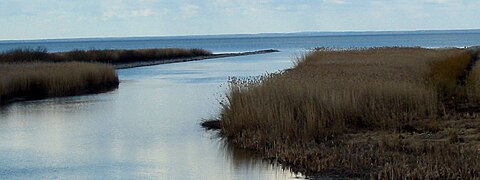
point(102, 56)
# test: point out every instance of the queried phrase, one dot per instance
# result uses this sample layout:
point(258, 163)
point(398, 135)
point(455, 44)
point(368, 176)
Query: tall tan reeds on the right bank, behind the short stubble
point(330, 91)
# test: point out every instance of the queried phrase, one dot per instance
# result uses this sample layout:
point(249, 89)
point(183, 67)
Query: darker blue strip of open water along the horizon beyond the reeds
point(250, 44)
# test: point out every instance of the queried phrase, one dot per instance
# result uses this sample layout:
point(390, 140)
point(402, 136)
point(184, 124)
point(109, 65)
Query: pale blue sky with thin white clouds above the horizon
point(50, 19)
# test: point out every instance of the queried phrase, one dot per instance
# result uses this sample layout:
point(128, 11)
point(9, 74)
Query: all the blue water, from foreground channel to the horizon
point(148, 128)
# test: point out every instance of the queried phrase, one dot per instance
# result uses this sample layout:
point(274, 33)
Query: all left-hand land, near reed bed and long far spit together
point(30, 74)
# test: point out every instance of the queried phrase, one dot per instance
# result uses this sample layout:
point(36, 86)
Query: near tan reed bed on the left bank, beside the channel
point(38, 80)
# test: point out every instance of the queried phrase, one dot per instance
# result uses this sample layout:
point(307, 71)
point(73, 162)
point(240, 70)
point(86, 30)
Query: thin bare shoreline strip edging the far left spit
point(129, 65)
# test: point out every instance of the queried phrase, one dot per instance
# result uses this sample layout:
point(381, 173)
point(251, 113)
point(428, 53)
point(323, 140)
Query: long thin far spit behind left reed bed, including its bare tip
point(120, 59)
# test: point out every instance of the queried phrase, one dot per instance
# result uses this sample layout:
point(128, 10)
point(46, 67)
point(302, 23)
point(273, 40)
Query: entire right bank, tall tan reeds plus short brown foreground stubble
point(379, 113)
